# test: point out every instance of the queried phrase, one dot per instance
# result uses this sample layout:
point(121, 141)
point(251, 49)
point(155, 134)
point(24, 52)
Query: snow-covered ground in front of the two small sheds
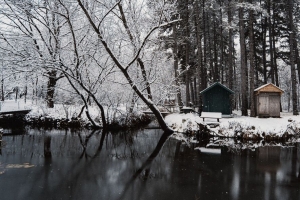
point(227, 126)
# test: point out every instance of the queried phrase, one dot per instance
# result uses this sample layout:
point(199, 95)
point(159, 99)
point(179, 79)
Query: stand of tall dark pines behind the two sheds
point(239, 43)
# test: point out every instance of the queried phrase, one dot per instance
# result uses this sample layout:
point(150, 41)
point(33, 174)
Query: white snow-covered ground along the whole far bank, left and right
point(180, 123)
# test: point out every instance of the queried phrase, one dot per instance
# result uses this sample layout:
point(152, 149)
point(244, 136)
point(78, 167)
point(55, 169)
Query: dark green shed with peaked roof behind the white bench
point(216, 98)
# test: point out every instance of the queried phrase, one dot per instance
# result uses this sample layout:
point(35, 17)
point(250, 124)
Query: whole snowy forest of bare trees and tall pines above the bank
point(145, 52)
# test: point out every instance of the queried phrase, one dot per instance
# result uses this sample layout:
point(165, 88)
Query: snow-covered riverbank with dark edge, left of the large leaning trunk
point(68, 116)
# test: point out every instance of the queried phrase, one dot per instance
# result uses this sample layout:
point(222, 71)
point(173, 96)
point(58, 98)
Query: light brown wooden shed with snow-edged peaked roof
point(267, 99)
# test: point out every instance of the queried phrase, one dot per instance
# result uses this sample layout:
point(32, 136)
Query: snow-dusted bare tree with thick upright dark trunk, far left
point(37, 30)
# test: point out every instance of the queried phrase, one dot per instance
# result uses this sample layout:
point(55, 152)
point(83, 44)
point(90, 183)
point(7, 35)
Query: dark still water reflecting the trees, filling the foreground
point(146, 164)
